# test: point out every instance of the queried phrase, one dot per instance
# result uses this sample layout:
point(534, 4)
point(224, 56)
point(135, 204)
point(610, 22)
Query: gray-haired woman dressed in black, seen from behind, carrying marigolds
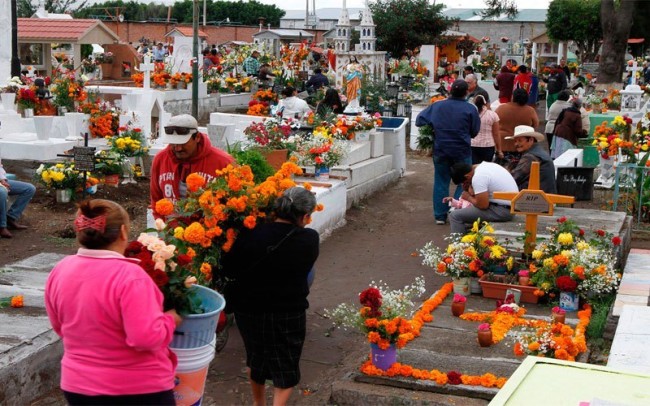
point(267, 289)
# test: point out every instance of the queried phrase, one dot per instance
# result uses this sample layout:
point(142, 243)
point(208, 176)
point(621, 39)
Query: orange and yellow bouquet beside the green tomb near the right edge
point(614, 138)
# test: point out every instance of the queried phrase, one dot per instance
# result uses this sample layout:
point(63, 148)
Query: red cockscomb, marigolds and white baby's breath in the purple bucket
point(384, 313)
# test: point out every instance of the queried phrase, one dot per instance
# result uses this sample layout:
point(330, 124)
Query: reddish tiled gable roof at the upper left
point(82, 31)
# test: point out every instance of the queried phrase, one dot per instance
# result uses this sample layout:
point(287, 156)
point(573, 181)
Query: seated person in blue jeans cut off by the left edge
point(24, 192)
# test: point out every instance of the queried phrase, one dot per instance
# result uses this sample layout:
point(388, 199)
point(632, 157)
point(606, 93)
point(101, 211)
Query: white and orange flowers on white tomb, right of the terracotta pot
point(321, 150)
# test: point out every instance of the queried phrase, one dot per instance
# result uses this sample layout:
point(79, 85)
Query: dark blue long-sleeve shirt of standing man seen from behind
point(455, 122)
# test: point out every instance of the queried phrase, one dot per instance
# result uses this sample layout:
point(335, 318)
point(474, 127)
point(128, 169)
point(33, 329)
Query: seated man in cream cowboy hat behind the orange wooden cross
point(527, 143)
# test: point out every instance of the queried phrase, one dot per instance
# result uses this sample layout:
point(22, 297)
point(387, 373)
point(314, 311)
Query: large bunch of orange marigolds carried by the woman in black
point(206, 223)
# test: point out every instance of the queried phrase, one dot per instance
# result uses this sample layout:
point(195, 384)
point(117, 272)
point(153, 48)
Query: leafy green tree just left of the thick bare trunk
point(577, 21)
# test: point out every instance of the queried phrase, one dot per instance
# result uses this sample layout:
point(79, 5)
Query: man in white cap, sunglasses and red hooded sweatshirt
point(188, 152)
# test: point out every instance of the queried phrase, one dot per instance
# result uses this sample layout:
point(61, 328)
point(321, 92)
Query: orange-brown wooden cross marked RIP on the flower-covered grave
point(532, 202)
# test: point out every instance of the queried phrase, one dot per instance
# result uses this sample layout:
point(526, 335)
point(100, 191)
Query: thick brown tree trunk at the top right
point(616, 17)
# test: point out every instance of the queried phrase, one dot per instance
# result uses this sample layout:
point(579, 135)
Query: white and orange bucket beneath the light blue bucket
point(191, 373)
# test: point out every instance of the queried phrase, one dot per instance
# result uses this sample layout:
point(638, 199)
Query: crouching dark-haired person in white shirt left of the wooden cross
point(485, 178)
